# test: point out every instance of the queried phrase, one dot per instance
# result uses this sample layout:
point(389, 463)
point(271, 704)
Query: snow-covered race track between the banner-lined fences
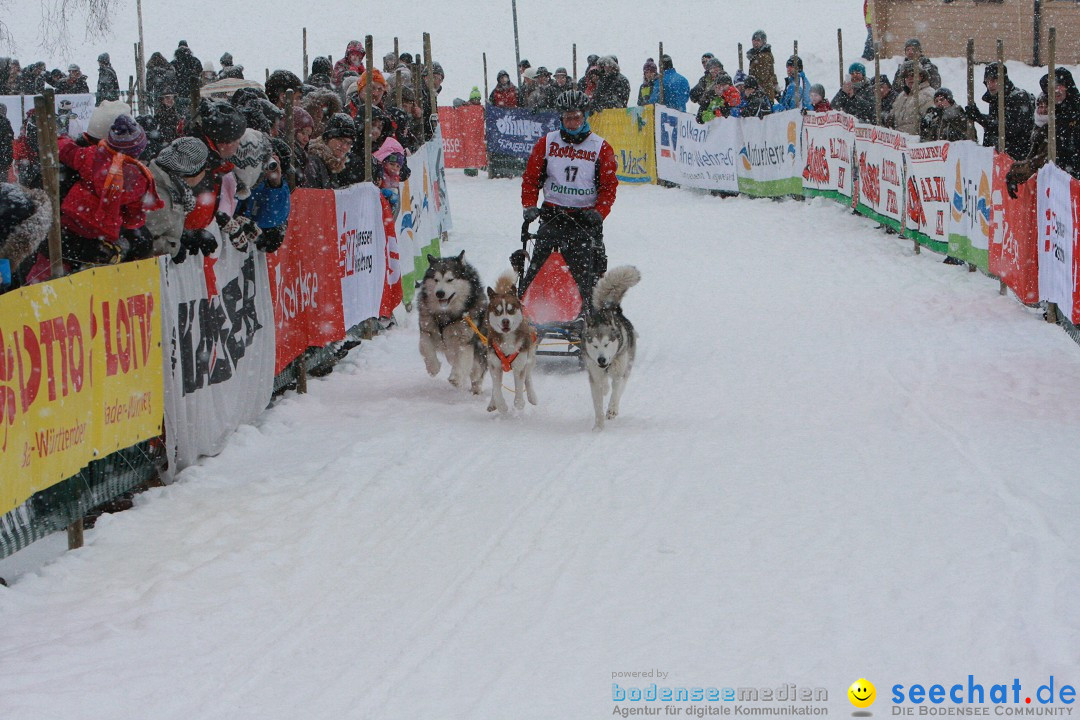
point(835, 460)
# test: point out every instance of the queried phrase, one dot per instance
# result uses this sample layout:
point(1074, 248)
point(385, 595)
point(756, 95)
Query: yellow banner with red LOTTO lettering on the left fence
point(80, 374)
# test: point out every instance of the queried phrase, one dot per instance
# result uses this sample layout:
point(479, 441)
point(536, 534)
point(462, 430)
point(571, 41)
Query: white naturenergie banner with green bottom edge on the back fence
point(771, 161)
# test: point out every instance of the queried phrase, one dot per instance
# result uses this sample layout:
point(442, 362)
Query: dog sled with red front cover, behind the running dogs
point(553, 302)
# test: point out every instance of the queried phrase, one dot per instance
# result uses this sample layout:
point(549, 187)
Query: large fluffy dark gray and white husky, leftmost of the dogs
point(451, 293)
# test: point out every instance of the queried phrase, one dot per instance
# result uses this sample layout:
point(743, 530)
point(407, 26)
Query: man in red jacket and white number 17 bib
point(577, 170)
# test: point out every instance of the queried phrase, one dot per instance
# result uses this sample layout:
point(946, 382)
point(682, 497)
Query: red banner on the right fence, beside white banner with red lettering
point(1015, 246)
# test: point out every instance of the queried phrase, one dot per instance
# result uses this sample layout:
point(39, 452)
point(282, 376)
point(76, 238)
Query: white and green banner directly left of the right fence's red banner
point(973, 172)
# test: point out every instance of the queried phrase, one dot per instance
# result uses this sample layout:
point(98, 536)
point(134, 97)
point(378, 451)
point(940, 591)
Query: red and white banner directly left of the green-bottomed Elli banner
point(929, 201)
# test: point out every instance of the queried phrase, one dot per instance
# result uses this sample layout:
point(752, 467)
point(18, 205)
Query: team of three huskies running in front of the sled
point(478, 333)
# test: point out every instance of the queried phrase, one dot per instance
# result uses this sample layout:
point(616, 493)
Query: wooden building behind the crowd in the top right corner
point(944, 26)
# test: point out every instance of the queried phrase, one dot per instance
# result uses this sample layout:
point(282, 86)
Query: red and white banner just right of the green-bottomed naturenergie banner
point(828, 142)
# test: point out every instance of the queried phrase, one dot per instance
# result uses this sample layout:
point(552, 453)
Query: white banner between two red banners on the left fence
point(362, 250)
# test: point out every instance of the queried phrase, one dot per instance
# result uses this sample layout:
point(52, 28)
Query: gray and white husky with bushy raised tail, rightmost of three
point(610, 342)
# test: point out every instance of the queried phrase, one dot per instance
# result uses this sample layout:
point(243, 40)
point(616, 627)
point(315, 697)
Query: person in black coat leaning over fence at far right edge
point(1066, 100)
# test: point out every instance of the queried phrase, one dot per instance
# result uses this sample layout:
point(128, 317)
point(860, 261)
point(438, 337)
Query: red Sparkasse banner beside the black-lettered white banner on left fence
point(305, 278)
